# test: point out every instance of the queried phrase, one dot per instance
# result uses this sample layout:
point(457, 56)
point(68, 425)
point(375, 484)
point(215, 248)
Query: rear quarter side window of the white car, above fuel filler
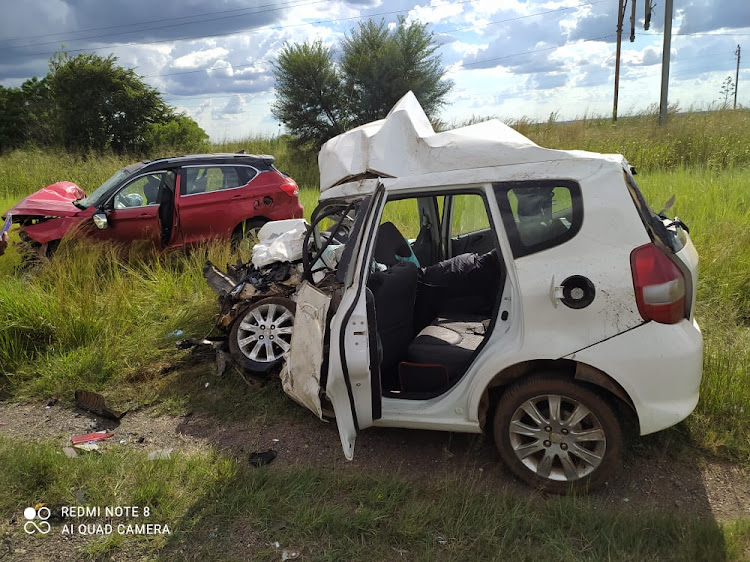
point(539, 215)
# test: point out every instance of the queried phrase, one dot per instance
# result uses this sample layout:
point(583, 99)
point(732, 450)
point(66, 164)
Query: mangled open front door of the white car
point(351, 381)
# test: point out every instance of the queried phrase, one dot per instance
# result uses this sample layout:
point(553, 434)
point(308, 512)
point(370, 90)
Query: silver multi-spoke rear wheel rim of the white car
point(557, 437)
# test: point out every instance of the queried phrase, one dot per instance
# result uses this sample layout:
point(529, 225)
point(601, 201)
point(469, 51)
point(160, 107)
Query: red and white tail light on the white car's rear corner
point(659, 285)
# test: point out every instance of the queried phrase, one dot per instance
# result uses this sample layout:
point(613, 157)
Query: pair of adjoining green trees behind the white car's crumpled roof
point(318, 97)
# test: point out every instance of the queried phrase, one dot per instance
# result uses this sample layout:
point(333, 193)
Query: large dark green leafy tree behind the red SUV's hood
point(101, 105)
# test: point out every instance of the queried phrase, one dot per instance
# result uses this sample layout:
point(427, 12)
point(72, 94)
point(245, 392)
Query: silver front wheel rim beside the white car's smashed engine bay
point(265, 333)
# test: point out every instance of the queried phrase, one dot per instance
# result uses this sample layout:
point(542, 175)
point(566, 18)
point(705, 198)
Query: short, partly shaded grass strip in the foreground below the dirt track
point(218, 508)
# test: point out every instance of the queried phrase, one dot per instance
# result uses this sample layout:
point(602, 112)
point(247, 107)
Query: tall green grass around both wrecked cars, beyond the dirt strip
point(55, 320)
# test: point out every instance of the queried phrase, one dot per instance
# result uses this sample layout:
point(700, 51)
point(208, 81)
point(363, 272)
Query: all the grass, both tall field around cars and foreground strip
point(92, 319)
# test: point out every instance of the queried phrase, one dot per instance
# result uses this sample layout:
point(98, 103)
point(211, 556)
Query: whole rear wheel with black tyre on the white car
point(557, 435)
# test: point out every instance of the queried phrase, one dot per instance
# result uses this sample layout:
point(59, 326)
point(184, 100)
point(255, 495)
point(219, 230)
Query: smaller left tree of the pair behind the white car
point(309, 98)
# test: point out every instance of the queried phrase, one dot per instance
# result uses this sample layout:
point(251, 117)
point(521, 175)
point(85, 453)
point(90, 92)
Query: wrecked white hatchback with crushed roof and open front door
point(471, 280)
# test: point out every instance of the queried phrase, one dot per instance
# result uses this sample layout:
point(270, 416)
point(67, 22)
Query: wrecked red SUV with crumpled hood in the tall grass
point(170, 202)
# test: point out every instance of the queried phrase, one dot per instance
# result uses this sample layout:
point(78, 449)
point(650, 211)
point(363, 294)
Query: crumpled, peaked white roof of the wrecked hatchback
point(405, 144)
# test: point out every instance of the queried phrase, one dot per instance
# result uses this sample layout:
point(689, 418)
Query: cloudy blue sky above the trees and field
point(512, 59)
